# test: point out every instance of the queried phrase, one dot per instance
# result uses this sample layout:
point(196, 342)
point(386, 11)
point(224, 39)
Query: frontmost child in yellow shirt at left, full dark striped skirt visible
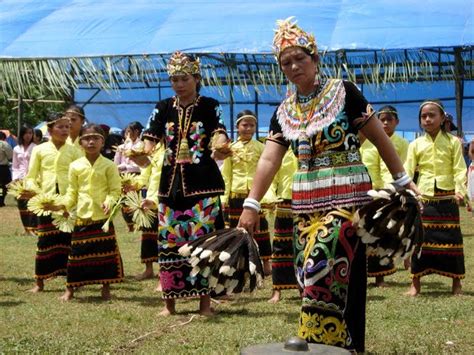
point(94, 187)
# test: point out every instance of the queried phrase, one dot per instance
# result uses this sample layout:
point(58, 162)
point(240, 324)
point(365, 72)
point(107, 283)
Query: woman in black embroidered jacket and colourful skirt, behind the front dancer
point(190, 182)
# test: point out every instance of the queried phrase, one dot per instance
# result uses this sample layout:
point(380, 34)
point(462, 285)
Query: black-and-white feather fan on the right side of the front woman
point(391, 224)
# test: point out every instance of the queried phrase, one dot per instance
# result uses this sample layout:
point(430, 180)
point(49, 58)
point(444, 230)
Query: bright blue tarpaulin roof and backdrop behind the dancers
point(86, 28)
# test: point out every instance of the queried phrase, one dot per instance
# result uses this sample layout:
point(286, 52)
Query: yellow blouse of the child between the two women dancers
point(239, 169)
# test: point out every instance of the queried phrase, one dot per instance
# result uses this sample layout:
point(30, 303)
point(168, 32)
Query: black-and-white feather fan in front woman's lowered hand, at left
point(228, 257)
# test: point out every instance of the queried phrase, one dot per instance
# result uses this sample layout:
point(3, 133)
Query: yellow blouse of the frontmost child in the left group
point(92, 185)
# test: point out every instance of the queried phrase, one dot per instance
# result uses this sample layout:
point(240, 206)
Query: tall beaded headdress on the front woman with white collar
point(289, 34)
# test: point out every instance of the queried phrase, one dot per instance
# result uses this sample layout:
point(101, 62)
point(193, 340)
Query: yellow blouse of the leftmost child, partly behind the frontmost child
point(49, 166)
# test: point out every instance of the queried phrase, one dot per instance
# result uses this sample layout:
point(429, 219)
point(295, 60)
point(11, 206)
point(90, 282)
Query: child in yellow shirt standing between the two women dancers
point(238, 172)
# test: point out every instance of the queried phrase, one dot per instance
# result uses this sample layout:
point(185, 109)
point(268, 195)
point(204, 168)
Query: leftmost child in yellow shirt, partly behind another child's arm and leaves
point(49, 164)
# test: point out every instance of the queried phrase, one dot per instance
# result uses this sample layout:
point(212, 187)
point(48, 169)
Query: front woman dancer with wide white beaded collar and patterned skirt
point(320, 121)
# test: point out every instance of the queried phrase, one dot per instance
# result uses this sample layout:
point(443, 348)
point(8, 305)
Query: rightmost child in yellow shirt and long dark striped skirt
point(442, 182)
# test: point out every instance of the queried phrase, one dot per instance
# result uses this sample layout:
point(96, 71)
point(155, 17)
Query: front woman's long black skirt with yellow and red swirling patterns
point(331, 270)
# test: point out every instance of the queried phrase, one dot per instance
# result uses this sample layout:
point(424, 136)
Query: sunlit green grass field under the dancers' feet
point(433, 323)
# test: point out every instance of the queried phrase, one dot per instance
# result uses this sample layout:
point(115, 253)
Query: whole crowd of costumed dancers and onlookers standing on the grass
point(326, 148)
